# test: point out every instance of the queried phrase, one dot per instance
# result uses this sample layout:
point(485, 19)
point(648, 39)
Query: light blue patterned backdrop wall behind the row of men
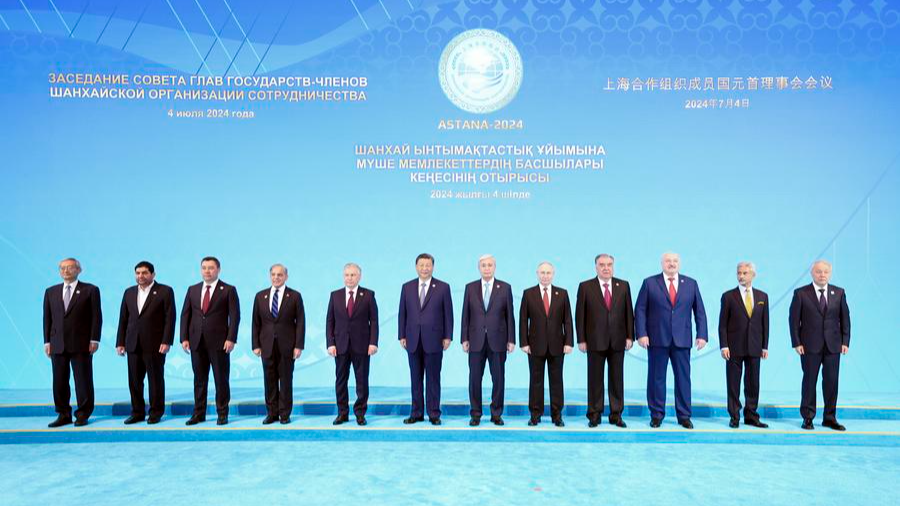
point(794, 175)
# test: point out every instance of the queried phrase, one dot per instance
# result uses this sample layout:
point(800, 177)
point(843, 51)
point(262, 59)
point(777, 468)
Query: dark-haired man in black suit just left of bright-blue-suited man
point(604, 320)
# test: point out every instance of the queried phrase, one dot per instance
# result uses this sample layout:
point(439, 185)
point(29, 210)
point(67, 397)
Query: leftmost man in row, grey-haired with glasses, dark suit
point(72, 322)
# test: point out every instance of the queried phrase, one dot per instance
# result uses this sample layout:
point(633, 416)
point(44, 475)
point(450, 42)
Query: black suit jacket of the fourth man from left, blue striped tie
point(288, 330)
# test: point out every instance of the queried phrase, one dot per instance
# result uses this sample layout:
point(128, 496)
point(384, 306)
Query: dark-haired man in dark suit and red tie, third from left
point(209, 324)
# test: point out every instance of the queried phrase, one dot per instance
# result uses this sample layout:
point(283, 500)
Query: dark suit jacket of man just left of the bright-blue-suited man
point(604, 329)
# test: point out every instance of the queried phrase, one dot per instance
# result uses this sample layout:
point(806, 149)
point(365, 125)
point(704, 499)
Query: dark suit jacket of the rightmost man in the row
point(813, 329)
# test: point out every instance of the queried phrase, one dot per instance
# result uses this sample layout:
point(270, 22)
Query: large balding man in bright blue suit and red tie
point(662, 319)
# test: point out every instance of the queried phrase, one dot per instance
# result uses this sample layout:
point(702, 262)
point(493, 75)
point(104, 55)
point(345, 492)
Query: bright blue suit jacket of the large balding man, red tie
point(655, 317)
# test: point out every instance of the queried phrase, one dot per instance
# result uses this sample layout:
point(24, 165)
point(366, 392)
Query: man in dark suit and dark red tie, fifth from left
point(351, 334)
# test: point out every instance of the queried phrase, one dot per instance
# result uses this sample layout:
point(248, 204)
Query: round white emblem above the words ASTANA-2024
point(480, 71)
